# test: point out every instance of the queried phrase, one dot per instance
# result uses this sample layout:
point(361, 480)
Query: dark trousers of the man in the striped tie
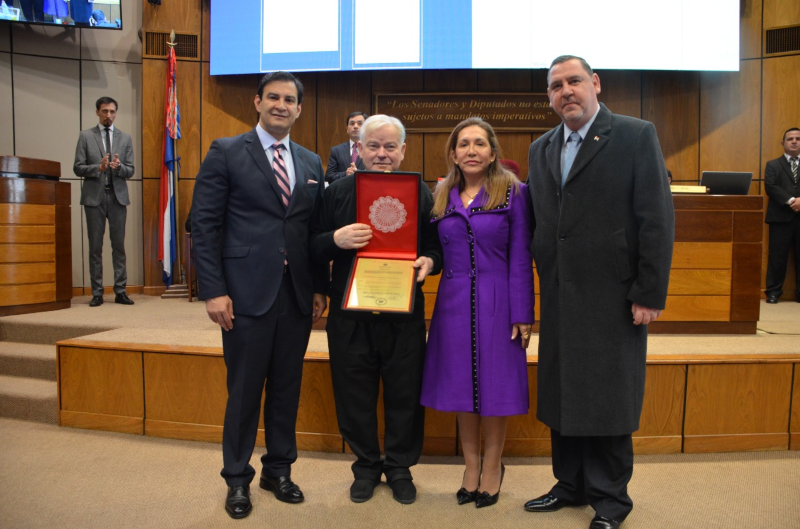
point(264, 355)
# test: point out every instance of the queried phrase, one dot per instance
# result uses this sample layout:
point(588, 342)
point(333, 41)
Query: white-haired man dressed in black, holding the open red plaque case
point(367, 348)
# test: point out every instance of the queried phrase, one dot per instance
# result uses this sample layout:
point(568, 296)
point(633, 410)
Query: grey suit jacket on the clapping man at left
point(89, 153)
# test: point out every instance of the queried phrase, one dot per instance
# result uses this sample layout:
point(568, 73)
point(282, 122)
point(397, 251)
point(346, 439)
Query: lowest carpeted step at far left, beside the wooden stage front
point(29, 399)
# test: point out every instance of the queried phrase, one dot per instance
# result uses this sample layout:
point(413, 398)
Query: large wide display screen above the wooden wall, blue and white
point(251, 36)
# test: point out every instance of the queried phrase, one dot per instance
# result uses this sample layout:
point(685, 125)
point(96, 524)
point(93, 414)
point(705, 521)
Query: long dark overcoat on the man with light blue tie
point(600, 244)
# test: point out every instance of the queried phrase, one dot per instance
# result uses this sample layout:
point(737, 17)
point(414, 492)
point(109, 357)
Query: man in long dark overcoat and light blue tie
point(603, 233)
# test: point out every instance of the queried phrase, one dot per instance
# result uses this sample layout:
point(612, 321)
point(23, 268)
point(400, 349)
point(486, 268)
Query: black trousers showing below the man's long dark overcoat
point(594, 470)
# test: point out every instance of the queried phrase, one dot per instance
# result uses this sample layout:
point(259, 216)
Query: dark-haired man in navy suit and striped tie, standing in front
point(254, 199)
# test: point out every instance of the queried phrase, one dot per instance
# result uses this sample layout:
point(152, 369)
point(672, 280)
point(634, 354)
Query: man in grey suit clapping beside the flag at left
point(104, 159)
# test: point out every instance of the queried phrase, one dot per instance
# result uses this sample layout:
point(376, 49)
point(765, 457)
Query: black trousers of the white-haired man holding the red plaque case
point(362, 355)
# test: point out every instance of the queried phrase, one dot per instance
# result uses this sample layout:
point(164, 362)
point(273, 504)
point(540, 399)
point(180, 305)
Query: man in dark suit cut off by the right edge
point(783, 215)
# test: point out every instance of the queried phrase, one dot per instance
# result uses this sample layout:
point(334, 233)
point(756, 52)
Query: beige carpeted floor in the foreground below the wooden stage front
point(62, 477)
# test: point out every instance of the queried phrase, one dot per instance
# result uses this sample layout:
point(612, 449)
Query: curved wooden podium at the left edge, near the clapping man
point(35, 237)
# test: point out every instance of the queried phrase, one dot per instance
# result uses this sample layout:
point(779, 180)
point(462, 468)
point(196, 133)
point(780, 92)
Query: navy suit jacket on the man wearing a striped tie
point(241, 231)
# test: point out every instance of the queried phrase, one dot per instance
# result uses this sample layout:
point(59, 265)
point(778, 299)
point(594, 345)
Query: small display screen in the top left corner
point(100, 14)
